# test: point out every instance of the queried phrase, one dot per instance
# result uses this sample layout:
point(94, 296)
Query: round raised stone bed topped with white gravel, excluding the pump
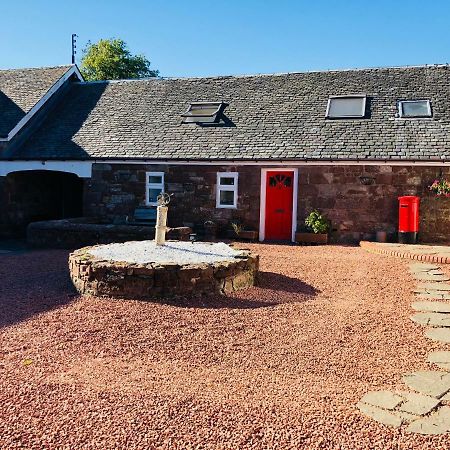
point(142, 270)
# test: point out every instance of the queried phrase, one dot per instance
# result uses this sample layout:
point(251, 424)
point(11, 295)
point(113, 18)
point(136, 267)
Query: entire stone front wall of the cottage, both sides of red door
point(359, 200)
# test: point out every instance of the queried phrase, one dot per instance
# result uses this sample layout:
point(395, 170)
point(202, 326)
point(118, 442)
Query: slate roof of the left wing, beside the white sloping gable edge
point(21, 89)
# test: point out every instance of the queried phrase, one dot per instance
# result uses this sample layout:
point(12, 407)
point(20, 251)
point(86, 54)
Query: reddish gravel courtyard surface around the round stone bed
point(281, 365)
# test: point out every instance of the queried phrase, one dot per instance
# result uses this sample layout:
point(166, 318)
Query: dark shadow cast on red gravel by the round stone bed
point(272, 289)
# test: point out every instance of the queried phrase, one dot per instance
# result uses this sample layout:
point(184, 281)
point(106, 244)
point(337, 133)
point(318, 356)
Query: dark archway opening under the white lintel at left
point(43, 195)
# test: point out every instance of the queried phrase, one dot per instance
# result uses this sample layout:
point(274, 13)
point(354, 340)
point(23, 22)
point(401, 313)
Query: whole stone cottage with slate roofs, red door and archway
point(263, 150)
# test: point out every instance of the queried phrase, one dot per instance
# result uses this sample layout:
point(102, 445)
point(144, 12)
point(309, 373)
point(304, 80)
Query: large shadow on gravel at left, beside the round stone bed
point(33, 283)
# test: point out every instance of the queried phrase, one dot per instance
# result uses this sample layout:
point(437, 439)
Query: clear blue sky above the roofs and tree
point(201, 38)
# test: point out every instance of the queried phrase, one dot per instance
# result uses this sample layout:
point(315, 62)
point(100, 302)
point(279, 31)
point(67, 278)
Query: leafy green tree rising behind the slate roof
point(110, 59)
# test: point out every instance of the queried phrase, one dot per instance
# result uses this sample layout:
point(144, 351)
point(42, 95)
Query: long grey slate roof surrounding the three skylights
point(268, 117)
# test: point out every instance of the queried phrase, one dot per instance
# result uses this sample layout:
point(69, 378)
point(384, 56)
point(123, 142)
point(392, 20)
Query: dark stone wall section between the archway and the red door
point(116, 190)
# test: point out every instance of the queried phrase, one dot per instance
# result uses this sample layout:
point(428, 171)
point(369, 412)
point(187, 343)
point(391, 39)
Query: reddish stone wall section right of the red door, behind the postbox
point(361, 200)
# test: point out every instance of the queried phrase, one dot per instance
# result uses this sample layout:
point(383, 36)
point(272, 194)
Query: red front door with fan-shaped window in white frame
point(279, 195)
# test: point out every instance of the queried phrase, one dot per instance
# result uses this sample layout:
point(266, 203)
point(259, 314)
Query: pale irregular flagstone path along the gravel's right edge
point(425, 408)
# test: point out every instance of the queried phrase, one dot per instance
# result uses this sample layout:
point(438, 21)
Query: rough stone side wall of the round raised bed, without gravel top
point(98, 277)
